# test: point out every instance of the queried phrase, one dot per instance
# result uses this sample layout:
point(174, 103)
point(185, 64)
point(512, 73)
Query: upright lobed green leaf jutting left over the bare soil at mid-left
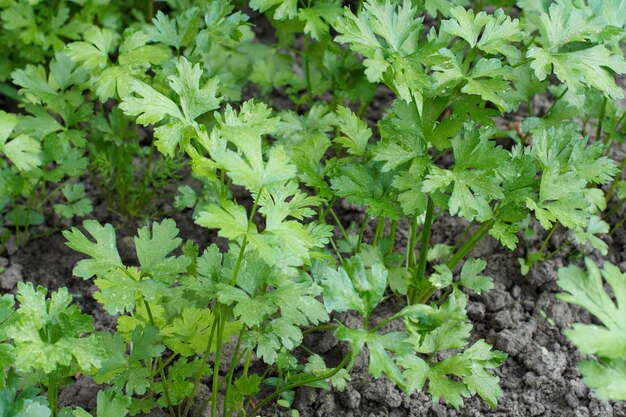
point(103, 253)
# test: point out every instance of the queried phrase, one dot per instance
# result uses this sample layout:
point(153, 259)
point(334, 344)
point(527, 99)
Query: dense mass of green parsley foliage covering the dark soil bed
point(124, 100)
